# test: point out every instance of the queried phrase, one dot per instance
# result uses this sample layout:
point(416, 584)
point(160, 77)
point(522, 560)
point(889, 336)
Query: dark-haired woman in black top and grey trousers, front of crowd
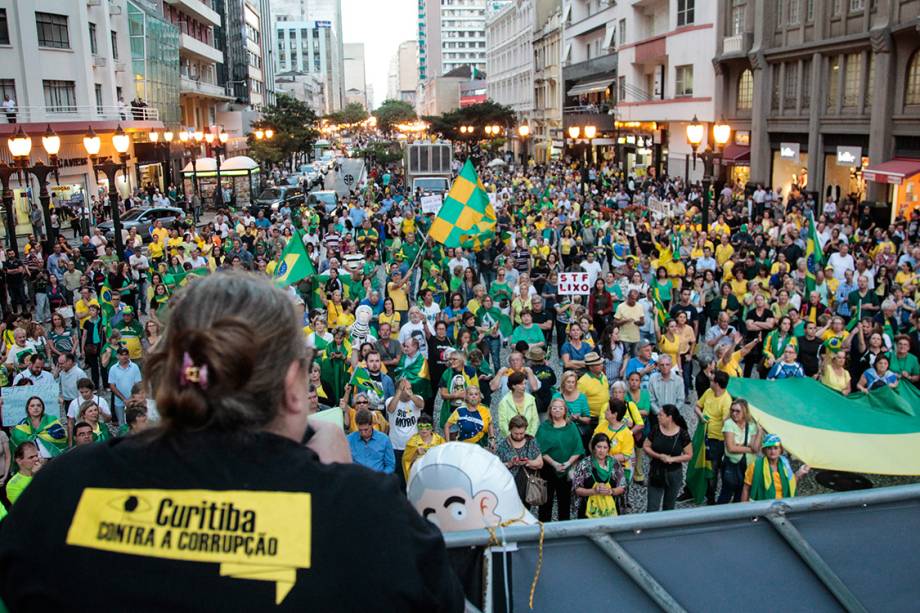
point(668, 446)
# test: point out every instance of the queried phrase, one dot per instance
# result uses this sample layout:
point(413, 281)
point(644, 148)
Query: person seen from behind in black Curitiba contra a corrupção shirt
point(231, 383)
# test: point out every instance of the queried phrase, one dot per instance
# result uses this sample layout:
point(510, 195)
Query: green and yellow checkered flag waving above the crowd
point(467, 217)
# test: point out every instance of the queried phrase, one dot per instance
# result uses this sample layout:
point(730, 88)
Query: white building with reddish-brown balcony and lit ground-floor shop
point(665, 78)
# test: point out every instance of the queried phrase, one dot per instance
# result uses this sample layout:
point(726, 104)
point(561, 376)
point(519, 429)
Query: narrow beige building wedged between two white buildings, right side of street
point(546, 136)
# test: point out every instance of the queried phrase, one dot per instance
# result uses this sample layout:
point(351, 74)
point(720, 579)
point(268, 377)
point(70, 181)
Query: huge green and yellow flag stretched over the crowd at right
point(877, 432)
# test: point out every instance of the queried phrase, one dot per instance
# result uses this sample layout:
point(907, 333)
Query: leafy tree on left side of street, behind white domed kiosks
point(294, 124)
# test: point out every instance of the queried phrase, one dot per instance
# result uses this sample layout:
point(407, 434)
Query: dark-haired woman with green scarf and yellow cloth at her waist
point(596, 481)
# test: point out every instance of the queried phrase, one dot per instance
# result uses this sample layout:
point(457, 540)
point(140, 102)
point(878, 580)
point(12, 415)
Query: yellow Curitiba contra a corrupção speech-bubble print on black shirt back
point(263, 536)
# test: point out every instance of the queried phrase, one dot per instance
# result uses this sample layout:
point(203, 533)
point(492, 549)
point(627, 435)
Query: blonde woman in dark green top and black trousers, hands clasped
point(560, 442)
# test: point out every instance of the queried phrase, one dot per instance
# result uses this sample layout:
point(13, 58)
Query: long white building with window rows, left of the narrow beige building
point(510, 59)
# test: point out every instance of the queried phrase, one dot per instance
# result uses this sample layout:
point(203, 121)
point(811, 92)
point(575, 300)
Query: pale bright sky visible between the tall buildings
point(381, 26)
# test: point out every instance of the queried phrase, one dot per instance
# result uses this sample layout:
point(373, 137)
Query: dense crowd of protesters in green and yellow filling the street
point(419, 343)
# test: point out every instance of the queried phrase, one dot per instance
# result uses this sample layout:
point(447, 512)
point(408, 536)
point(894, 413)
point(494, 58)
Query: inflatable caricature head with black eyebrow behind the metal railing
point(458, 486)
